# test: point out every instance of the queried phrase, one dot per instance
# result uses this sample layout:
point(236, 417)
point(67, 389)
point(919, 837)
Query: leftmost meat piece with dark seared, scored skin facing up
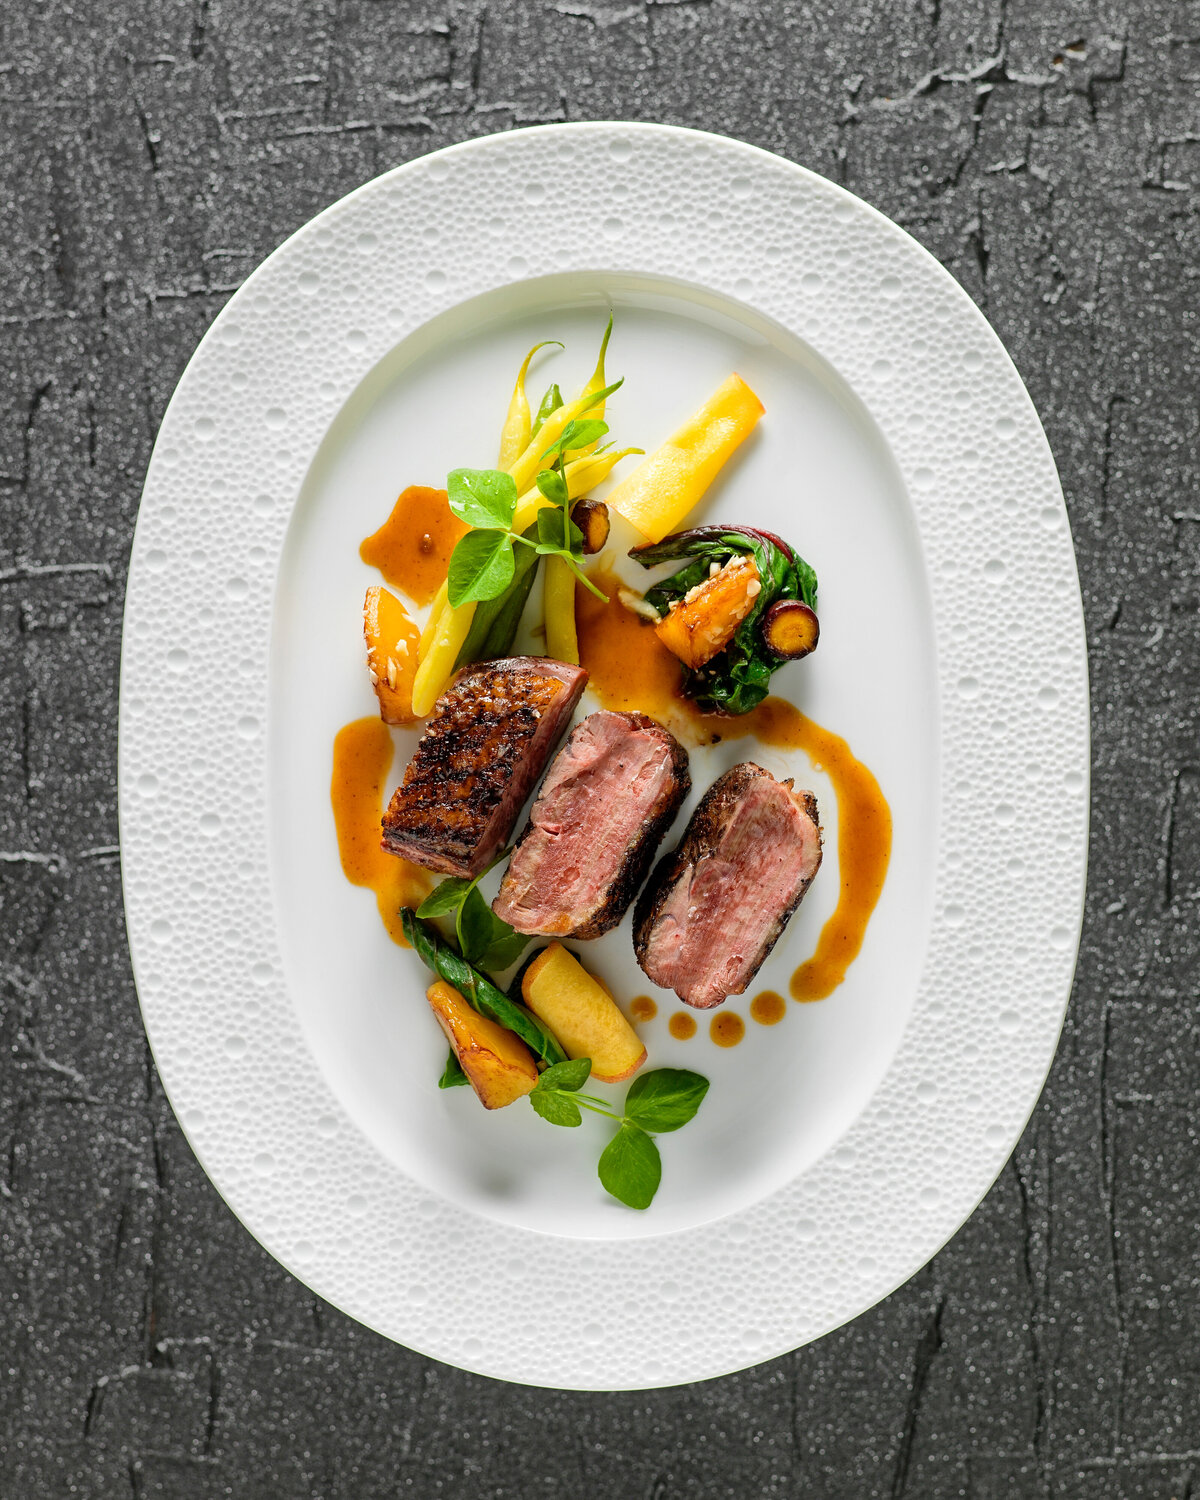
point(487, 745)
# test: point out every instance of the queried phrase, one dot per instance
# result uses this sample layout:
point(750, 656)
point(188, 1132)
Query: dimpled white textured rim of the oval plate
point(229, 464)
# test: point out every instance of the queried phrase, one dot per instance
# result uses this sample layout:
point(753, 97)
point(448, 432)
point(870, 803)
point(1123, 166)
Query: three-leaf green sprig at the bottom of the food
point(631, 1168)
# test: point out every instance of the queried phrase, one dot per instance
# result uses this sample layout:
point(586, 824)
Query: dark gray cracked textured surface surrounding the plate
point(151, 155)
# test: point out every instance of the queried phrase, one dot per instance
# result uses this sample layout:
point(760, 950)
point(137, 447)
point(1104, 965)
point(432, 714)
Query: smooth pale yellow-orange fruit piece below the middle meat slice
point(583, 1015)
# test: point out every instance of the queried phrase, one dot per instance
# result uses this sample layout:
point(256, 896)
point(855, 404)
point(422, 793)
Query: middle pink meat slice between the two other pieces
point(608, 799)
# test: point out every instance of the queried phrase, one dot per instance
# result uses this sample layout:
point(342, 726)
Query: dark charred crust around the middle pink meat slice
point(616, 889)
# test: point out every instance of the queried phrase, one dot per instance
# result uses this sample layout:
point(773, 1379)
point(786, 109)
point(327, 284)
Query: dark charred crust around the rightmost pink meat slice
point(703, 839)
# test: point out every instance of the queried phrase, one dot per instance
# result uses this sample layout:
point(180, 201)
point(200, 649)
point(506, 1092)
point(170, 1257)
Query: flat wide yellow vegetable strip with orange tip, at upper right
point(659, 493)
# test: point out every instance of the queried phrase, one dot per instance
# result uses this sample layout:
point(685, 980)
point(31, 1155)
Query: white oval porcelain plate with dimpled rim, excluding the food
point(901, 454)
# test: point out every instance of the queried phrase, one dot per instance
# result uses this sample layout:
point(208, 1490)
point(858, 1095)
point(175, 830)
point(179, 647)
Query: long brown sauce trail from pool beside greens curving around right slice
point(632, 670)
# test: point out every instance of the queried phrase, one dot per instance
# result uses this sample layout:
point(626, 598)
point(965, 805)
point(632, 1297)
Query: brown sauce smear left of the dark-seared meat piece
point(362, 758)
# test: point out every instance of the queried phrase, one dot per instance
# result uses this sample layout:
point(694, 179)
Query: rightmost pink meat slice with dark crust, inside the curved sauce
point(716, 907)
